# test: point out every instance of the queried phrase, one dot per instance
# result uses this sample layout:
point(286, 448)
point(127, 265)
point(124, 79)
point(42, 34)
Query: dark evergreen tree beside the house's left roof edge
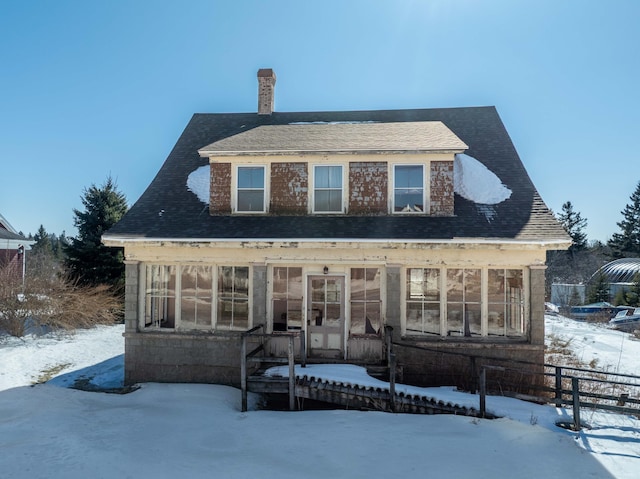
point(87, 259)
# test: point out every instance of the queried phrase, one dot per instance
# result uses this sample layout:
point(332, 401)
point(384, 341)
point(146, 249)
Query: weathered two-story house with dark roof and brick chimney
point(331, 226)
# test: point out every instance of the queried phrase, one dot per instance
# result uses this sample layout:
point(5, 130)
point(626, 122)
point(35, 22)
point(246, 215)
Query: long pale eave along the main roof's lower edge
point(115, 240)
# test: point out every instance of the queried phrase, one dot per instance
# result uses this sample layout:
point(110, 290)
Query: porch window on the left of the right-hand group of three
point(423, 301)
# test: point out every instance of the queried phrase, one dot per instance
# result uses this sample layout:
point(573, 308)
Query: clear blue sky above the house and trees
point(92, 89)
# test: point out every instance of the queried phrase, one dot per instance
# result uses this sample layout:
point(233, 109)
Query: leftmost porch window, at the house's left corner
point(160, 296)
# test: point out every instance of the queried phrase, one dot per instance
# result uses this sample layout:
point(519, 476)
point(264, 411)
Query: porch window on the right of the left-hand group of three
point(233, 298)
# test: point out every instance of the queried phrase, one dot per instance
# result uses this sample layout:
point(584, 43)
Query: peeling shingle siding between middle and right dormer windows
point(368, 187)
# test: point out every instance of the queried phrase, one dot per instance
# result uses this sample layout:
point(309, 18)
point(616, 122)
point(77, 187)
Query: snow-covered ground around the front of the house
point(195, 430)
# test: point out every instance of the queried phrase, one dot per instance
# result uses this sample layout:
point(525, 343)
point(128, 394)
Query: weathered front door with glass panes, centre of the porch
point(325, 316)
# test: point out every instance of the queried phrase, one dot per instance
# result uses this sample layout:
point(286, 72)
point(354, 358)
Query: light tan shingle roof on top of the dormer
point(339, 137)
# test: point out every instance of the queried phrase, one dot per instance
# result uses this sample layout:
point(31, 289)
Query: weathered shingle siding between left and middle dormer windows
point(289, 188)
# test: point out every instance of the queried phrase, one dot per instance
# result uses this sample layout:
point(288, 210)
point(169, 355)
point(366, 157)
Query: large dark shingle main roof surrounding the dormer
point(167, 209)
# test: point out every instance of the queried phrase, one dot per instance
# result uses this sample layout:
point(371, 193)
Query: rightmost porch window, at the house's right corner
point(506, 302)
